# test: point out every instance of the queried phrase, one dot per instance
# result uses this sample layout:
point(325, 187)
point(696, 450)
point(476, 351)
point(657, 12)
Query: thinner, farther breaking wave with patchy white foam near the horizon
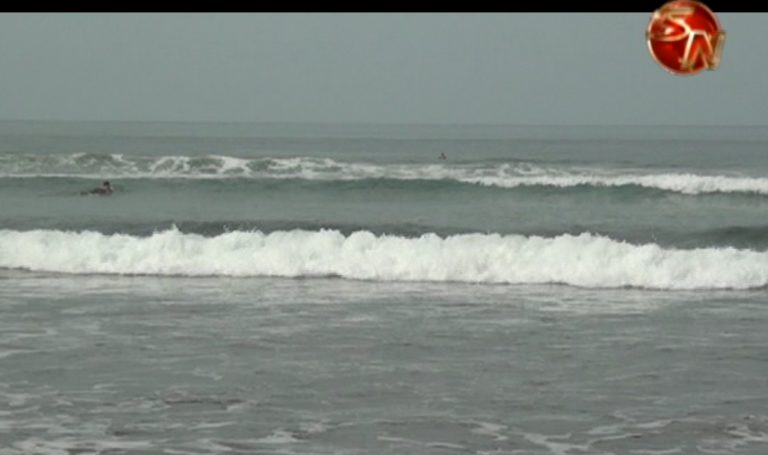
point(503, 175)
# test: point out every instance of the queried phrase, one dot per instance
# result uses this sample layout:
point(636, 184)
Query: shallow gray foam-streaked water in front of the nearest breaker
point(172, 365)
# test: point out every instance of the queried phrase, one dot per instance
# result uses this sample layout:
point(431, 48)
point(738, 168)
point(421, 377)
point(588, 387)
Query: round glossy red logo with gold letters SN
point(685, 37)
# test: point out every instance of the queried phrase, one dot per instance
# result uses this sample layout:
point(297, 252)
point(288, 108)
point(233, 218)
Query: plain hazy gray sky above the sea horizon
point(512, 68)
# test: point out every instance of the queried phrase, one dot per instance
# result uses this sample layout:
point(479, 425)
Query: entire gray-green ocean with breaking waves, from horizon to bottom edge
point(343, 289)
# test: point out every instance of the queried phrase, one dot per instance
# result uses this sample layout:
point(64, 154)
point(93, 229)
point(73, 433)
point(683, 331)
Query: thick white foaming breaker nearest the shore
point(584, 260)
